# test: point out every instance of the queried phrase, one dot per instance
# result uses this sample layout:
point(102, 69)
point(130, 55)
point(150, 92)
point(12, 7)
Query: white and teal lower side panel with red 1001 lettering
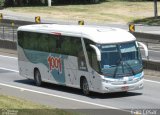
point(54, 68)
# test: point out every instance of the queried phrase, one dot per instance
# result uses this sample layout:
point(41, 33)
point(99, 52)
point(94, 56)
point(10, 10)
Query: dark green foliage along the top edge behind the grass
point(11, 3)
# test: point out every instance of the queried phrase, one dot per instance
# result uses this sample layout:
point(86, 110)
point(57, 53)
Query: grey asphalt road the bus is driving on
point(11, 83)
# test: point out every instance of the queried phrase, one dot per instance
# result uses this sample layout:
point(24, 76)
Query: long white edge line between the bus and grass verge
point(58, 96)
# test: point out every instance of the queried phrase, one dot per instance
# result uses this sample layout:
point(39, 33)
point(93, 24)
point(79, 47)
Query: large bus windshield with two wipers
point(120, 60)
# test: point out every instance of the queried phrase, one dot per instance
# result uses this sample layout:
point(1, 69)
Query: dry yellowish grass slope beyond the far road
point(109, 11)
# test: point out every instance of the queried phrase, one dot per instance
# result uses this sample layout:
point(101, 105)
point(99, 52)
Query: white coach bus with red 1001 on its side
point(94, 59)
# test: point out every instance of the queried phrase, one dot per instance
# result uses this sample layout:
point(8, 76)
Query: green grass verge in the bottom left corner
point(11, 105)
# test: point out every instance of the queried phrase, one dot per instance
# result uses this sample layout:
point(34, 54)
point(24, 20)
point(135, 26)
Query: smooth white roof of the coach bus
point(101, 35)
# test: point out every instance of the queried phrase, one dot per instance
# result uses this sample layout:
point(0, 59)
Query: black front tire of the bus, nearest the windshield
point(85, 87)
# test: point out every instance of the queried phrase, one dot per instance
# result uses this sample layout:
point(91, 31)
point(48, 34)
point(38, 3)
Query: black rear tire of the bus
point(37, 78)
